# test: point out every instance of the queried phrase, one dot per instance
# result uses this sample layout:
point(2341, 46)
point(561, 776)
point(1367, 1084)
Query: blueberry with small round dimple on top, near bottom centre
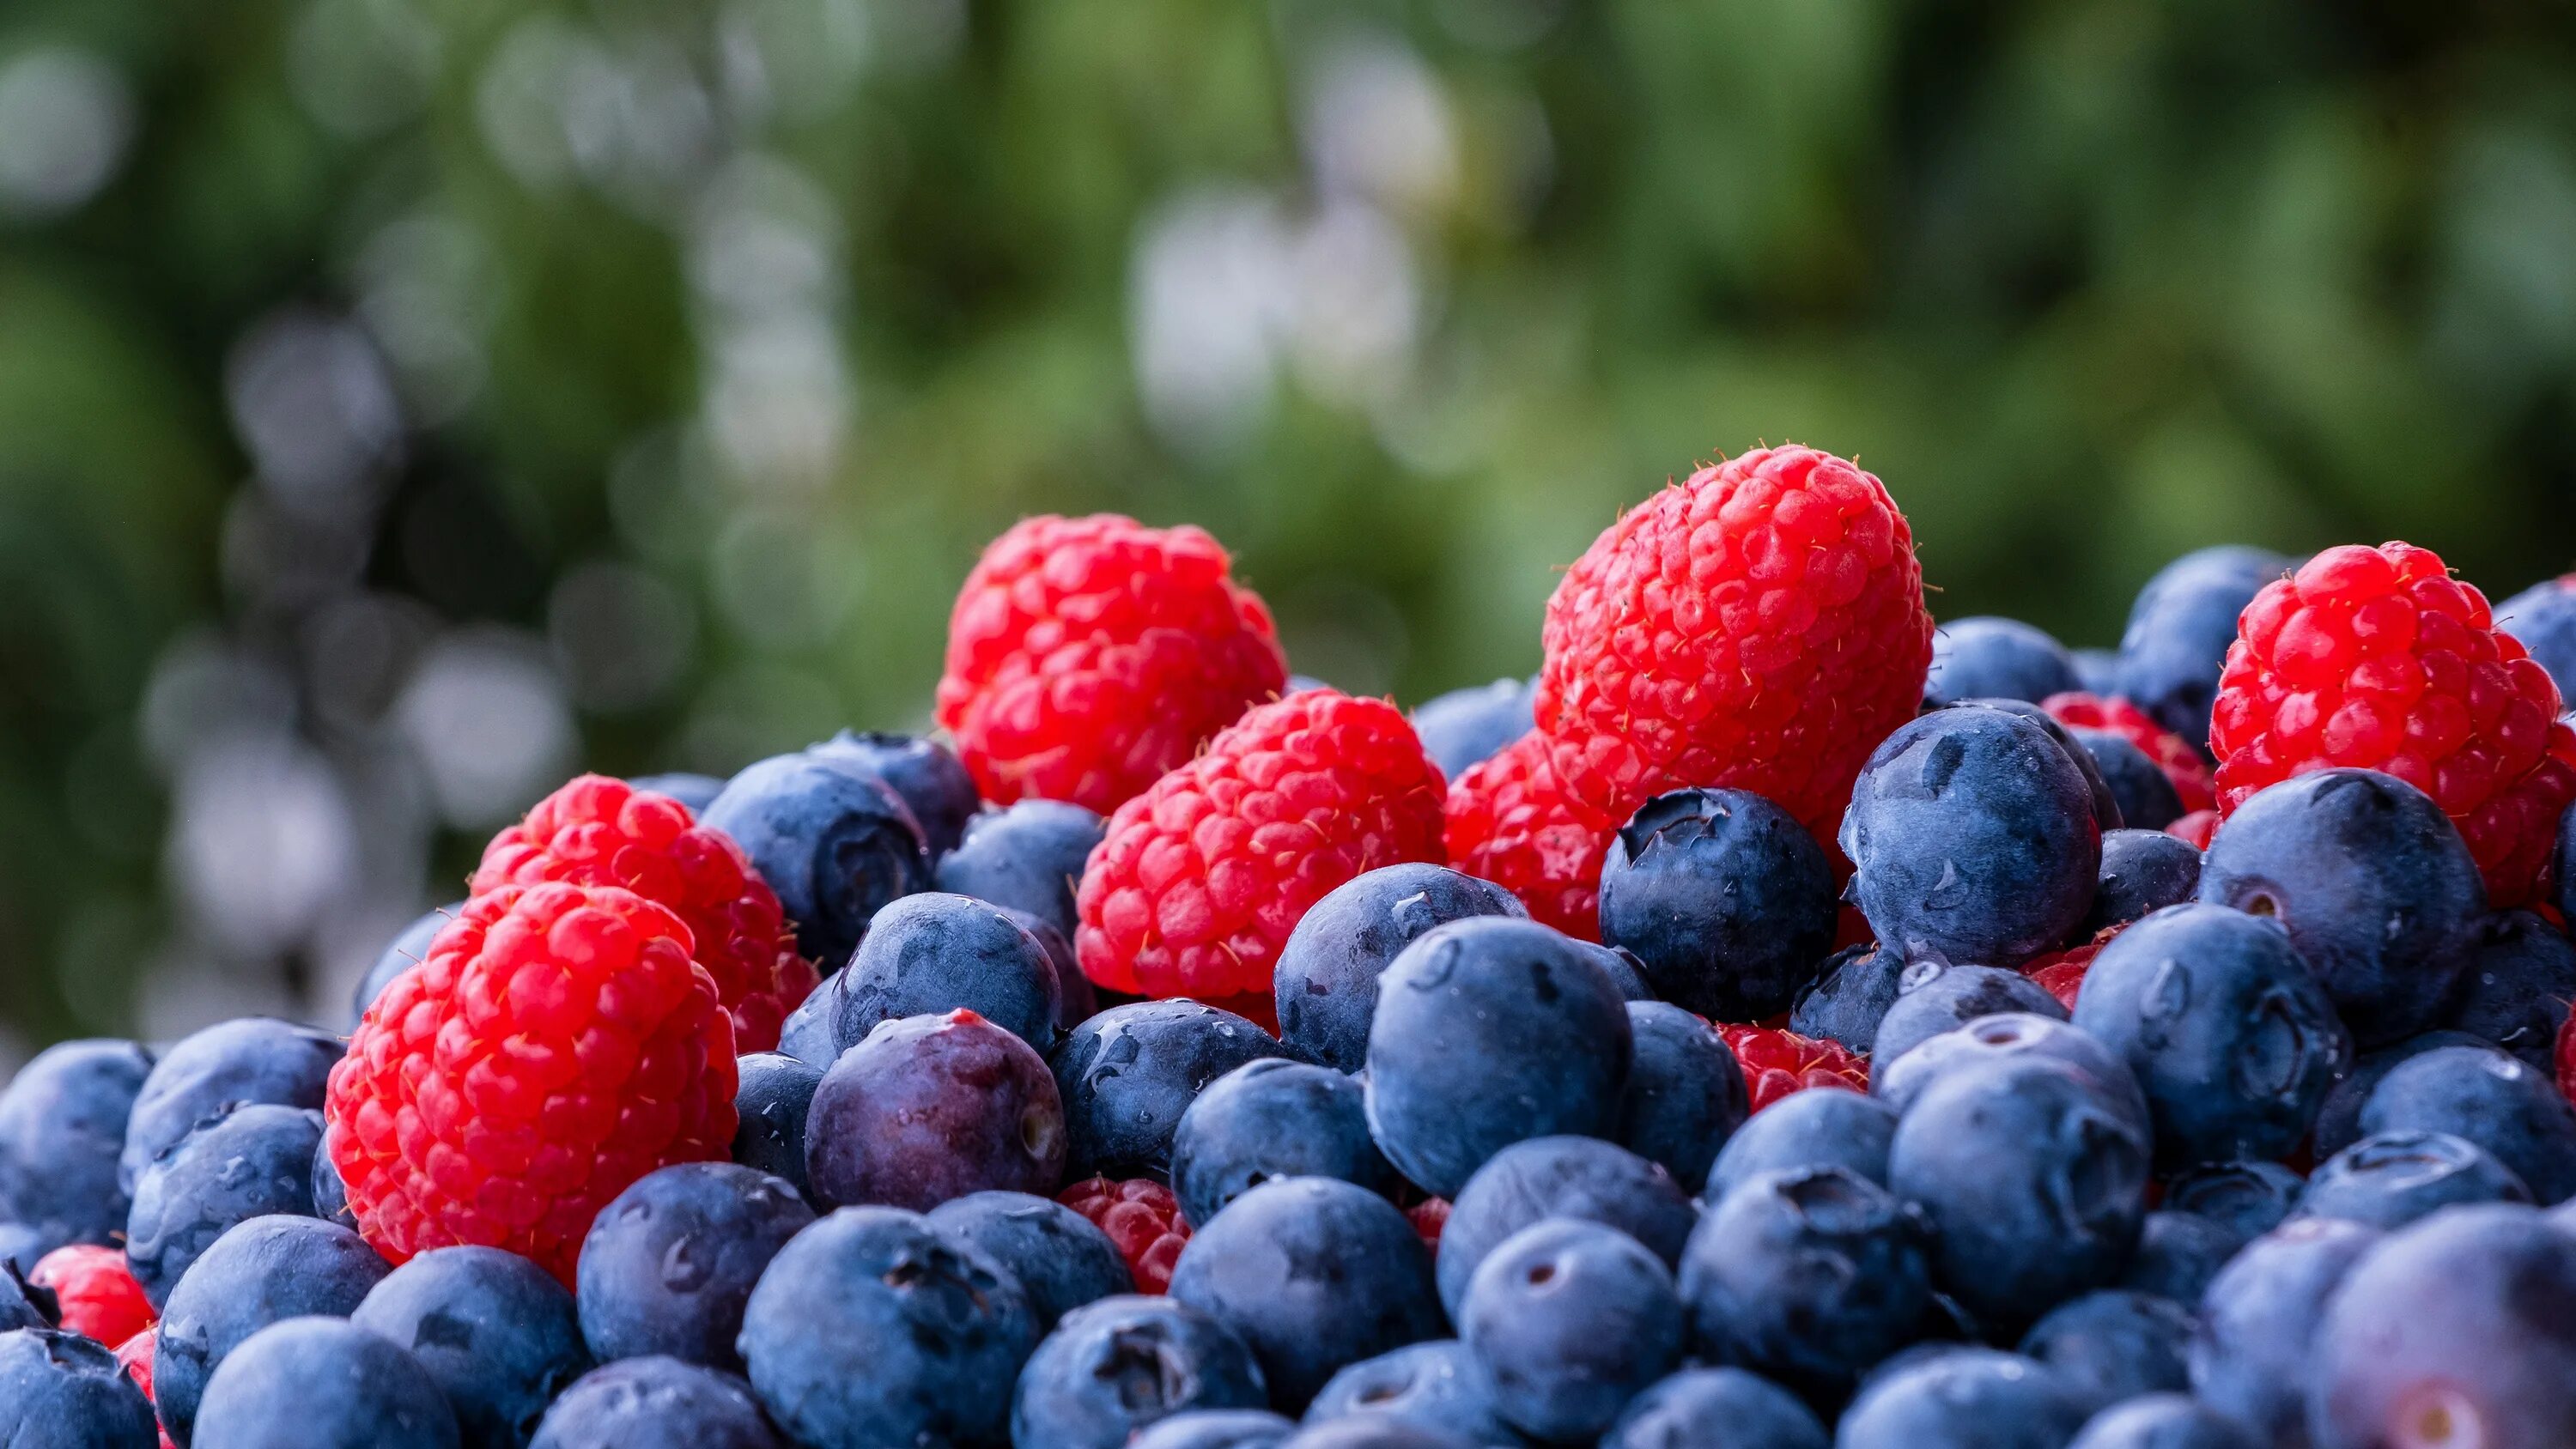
point(1570, 1322)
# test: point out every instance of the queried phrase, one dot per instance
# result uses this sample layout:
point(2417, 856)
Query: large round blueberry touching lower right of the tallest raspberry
point(1975, 840)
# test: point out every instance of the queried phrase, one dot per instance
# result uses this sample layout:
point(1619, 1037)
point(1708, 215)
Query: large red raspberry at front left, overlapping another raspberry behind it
point(555, 1046)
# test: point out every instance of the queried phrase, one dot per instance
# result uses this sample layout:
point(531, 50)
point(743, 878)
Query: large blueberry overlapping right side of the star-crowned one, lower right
point(2034, 1180)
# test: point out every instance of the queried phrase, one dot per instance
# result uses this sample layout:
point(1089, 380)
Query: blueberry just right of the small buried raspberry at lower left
point(261, 1273)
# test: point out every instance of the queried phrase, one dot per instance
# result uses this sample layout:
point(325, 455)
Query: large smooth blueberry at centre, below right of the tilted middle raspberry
point(1490, 1033)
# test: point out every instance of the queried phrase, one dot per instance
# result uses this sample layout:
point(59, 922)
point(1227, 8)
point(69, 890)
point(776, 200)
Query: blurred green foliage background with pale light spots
point(406, 403)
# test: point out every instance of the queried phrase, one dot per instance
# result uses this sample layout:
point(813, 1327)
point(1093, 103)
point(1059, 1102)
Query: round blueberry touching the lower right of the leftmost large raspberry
point(671, 1262)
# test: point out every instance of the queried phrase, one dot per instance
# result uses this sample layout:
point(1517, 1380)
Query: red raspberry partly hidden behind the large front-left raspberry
point(607, 833)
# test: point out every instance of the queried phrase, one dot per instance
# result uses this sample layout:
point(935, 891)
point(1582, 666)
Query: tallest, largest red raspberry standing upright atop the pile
point(1758, 627)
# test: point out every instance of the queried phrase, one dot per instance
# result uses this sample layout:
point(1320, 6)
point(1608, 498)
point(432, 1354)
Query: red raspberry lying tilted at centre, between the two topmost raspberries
point(1199, 881)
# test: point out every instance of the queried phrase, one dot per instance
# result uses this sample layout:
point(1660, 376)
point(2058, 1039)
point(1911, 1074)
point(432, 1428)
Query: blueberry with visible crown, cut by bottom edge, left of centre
point(1122, 1363)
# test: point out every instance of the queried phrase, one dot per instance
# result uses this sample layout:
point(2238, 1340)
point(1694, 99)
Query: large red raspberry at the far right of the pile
point(2382, 660)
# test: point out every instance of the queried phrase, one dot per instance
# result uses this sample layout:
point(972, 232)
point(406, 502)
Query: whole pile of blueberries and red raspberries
point(1779, 1026)
